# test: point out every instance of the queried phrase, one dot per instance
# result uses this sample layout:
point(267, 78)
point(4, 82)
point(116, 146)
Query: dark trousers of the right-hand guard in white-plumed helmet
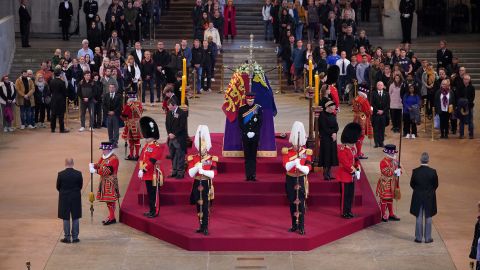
point(290, 184)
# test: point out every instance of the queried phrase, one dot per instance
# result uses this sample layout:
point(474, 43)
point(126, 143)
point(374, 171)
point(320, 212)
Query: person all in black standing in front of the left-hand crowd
point(58, 103)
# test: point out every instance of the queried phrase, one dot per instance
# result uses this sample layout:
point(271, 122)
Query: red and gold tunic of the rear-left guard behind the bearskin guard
point(131, 114)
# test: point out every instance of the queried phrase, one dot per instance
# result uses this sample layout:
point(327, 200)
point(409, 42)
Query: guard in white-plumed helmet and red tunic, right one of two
point(297, 161)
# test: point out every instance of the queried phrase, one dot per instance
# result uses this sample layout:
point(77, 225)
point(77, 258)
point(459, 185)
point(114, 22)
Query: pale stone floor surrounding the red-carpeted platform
point(30, 230)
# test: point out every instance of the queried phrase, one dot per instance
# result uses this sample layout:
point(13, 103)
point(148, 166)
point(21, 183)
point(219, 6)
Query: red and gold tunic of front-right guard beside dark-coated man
point(387, 183)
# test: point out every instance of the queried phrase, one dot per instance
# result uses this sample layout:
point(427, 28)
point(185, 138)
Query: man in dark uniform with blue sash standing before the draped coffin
point(250, 121)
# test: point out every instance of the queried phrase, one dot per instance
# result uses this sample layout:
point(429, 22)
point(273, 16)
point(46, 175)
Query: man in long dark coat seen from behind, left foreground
point(69, 186)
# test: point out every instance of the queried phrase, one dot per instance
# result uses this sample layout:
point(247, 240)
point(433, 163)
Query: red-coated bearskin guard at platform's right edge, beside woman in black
point(349, 167)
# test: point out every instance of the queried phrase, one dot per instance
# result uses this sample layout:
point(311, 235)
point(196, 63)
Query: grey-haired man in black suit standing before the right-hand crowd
point(381, 107)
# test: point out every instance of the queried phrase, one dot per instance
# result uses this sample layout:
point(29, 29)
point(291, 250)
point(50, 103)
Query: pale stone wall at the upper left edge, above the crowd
point(7, 50)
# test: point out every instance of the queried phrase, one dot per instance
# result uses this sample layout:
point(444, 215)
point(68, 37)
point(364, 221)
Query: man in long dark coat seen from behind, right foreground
point(424, 183)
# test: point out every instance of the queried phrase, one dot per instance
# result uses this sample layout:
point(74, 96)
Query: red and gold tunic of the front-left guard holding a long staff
point(108, 188)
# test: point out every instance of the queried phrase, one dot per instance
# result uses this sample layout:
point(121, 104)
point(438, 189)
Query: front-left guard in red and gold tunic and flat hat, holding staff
point(107, 168)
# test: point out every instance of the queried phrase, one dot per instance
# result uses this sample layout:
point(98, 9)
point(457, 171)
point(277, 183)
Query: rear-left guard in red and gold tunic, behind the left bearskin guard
point(131, 114)
